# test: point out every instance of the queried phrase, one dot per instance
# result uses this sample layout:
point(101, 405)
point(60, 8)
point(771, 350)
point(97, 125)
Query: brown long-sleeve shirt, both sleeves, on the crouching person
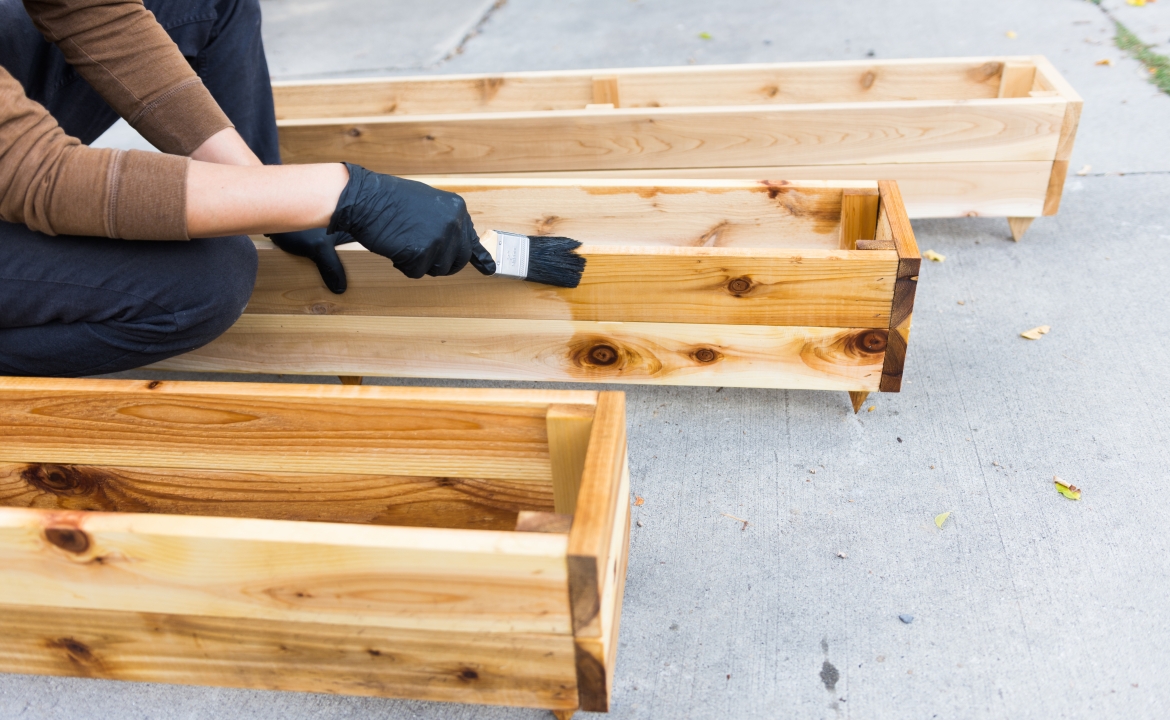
point(54, 184)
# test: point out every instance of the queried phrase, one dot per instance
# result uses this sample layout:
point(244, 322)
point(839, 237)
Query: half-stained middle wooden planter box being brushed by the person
point(701, 283)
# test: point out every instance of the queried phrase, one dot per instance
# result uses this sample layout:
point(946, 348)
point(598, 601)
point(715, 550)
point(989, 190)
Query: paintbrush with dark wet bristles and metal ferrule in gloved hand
point(538, 259)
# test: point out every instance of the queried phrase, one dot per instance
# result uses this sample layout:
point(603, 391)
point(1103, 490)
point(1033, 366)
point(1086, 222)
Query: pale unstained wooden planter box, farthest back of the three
point(974, 136)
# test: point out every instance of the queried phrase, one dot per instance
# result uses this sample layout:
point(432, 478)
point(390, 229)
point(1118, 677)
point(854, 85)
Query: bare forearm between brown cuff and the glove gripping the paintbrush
point(242, 201)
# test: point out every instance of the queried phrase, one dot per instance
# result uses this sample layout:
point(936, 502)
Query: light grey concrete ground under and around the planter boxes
point(1024, 605)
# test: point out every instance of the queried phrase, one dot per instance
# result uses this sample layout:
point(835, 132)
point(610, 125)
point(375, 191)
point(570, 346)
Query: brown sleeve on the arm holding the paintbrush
point(56, 186)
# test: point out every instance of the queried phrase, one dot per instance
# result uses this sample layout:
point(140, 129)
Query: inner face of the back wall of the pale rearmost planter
point(697, 86)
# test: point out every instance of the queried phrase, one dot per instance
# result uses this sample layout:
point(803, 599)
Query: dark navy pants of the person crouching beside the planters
point(87, 306)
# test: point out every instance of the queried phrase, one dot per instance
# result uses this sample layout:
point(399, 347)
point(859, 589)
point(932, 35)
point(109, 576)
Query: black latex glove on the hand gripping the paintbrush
point(424, 231)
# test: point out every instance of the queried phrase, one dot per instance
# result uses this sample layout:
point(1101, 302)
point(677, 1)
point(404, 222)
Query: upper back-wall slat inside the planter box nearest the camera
point(253, 428)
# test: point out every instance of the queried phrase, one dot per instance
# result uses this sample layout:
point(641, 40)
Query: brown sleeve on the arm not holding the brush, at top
point(121, 50)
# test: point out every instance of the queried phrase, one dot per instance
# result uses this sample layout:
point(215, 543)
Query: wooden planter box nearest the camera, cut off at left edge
point(375, 541)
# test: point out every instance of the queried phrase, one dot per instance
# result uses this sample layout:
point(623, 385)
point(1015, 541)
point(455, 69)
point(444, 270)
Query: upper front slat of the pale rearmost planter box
point(979, 131)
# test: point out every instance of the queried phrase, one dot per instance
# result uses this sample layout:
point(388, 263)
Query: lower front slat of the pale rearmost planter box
point(932, 190)
